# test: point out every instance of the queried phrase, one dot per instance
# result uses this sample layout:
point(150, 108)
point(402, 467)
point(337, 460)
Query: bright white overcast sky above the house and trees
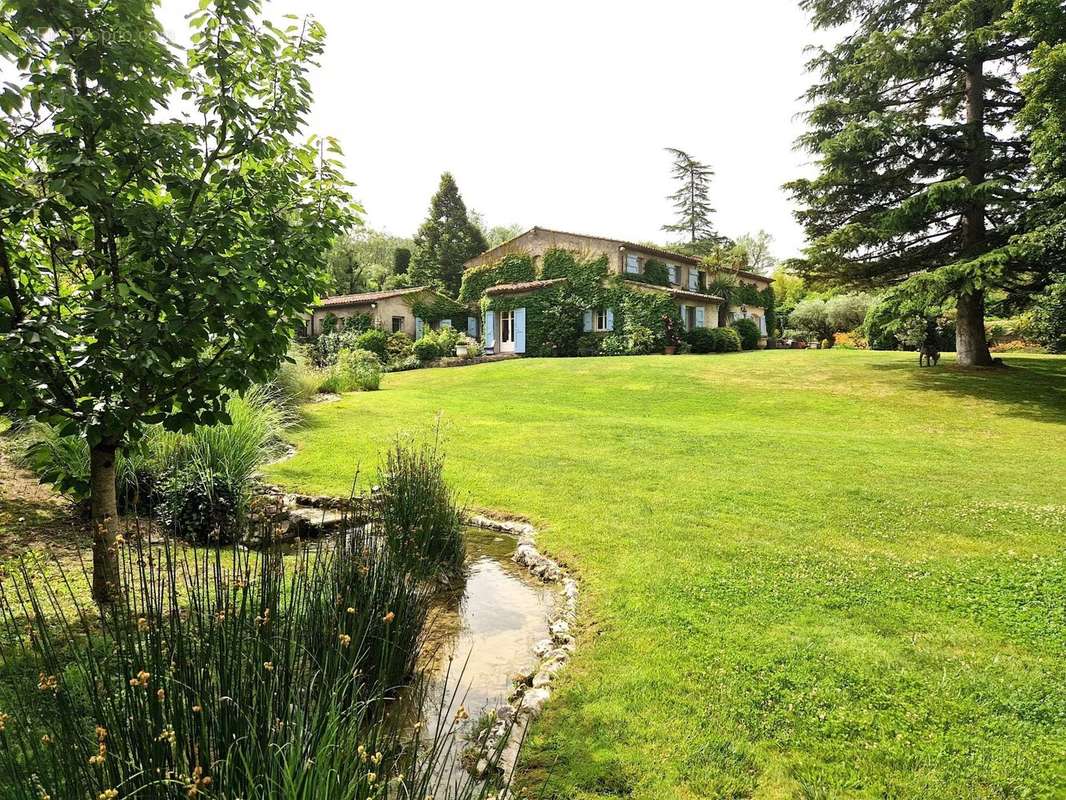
point(557, 114)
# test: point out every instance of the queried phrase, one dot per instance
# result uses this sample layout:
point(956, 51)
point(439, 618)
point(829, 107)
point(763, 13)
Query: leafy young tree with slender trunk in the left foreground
point(153, 263)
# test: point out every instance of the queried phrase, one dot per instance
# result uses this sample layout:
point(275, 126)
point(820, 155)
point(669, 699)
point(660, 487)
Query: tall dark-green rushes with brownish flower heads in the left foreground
point(225, 675)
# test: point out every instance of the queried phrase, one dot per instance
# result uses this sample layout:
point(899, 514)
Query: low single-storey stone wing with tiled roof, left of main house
point(392, 311)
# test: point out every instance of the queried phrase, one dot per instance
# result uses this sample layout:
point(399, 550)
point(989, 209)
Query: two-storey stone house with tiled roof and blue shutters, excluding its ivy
point(686, 284)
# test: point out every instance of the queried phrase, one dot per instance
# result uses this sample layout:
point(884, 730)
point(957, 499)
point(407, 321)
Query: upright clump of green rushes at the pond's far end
point(421, 519)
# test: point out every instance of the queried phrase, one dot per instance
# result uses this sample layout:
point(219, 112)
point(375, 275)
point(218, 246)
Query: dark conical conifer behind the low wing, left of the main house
point(446, 241)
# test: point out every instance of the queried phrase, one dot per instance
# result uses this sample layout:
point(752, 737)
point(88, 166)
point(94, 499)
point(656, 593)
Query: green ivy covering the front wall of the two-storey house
point(555, 315)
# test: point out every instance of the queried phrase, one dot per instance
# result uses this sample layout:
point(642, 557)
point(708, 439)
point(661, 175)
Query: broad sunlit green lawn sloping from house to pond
point(805, 574)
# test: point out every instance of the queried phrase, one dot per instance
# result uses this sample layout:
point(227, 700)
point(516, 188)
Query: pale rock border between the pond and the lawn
point(532, 691)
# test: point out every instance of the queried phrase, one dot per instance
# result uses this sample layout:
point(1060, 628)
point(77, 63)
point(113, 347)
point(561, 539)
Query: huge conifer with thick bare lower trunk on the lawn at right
point(923, 169)
